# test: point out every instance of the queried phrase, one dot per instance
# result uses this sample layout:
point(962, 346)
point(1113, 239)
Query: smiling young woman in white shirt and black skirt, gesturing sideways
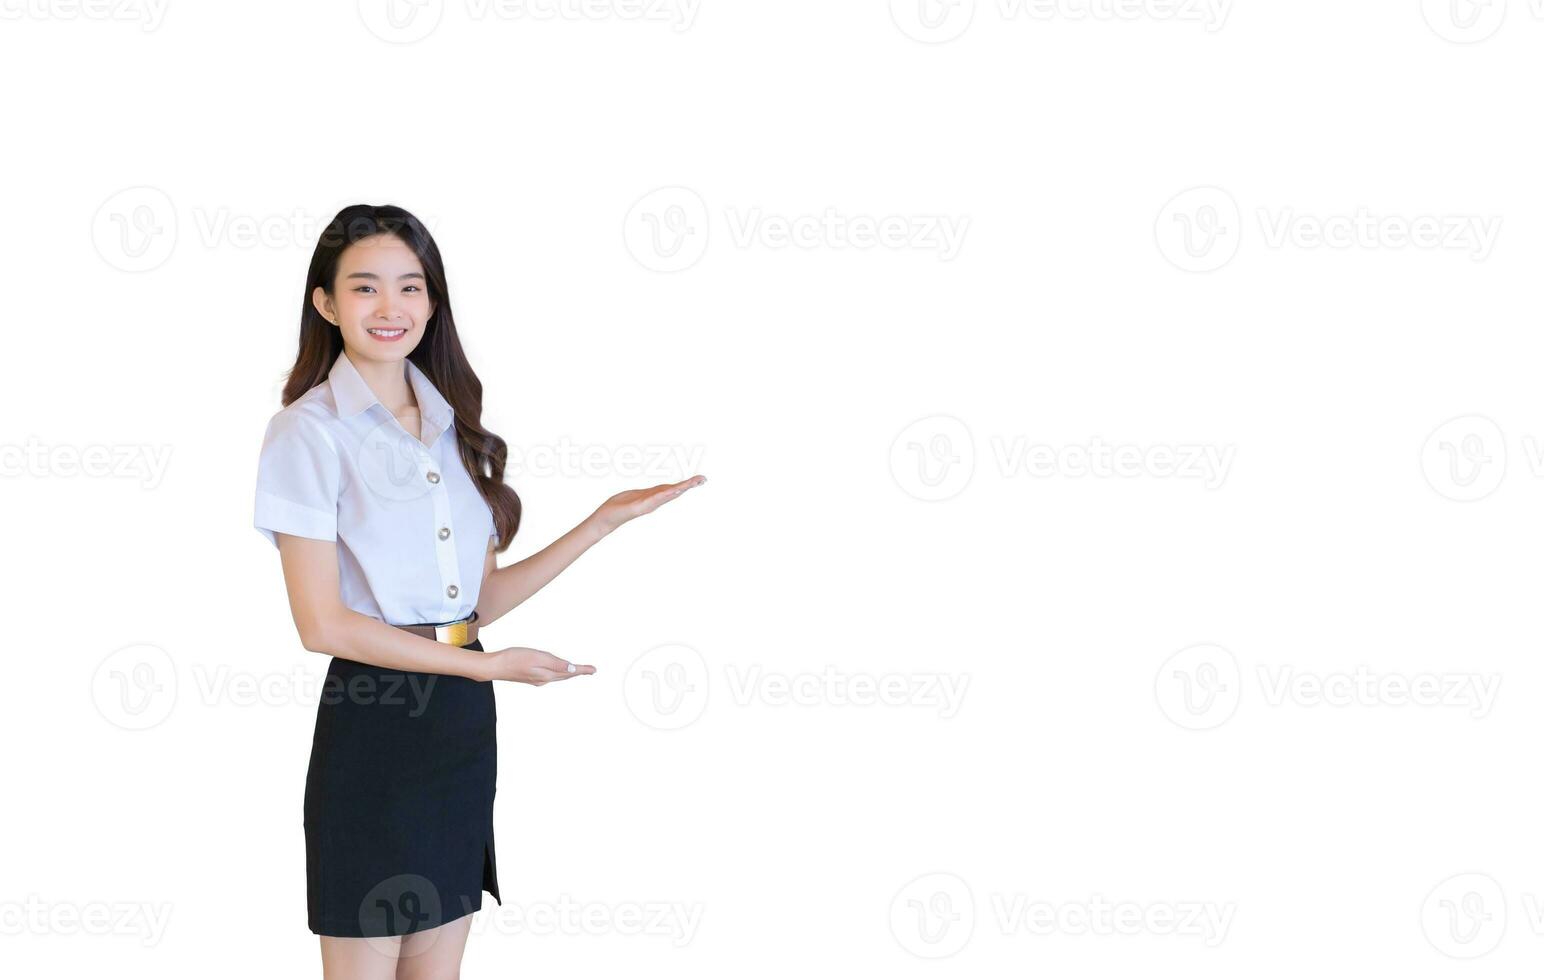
point(387, 501)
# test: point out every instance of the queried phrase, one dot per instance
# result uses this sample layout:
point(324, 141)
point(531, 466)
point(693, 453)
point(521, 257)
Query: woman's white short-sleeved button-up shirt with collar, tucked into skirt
point(413, 532)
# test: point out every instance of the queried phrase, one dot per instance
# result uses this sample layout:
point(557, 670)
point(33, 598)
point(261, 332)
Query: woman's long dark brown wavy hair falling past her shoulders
point(439, 356)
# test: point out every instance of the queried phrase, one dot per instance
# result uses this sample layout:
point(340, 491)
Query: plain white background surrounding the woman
point(1120, 637)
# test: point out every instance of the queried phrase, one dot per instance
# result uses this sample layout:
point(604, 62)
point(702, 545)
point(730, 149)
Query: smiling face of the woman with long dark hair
point(381, 299)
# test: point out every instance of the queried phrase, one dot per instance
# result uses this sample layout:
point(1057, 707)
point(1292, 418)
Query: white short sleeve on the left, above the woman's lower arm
point(297, 481)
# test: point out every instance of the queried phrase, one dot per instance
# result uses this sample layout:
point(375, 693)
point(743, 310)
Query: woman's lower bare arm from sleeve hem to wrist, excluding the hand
point(327, 626)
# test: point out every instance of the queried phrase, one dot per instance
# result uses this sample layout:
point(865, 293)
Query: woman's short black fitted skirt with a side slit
point(399, 802)
